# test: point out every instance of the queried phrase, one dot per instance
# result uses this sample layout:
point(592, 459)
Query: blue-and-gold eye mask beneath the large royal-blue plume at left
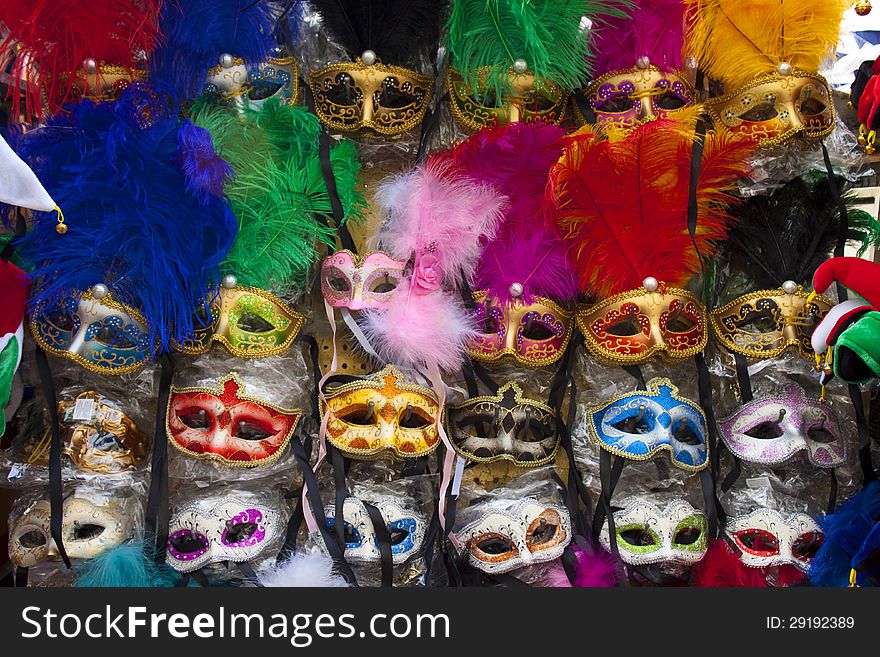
point(101, 335)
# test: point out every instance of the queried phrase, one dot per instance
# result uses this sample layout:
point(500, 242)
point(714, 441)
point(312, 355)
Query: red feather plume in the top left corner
point(50, 37)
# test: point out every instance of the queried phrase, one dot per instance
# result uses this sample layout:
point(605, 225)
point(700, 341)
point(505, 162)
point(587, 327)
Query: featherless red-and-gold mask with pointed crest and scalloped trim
point(226, 425)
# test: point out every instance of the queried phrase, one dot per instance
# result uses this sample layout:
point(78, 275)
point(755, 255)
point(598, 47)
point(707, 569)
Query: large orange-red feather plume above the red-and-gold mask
point(622, 203)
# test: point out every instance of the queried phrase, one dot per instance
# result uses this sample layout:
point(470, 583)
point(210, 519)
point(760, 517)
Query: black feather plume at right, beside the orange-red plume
point(787, 234)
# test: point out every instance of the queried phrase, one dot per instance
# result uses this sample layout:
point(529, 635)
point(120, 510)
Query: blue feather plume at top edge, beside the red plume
point(197, 32)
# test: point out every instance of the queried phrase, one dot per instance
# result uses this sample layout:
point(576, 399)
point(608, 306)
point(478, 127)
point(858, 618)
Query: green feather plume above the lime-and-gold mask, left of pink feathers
point(278, 195)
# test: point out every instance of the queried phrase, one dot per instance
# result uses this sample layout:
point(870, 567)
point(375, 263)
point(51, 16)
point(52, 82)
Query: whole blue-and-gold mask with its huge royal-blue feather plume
point(146, 228)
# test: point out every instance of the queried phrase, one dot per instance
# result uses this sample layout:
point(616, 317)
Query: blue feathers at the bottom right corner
point(845, 531)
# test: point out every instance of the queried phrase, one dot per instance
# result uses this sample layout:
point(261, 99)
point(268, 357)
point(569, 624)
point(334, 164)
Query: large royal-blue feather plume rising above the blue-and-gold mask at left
point(136, 222)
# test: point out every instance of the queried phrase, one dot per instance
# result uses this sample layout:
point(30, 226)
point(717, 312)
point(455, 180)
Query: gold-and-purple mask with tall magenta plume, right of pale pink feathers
point(525, 283)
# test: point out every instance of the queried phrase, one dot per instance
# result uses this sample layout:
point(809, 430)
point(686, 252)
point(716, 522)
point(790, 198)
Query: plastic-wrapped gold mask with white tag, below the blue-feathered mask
point(101, 437)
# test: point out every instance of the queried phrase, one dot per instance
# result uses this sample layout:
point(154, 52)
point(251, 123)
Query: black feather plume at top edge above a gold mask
point(400, 32)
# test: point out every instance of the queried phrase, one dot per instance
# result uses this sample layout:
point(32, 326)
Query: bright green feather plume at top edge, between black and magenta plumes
point(493, 34)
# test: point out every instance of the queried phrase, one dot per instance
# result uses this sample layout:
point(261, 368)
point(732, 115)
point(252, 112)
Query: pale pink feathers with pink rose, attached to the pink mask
point(436, 220)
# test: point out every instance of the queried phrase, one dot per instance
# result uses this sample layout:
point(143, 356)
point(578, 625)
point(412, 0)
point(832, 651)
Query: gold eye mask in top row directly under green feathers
point(476, 106)
